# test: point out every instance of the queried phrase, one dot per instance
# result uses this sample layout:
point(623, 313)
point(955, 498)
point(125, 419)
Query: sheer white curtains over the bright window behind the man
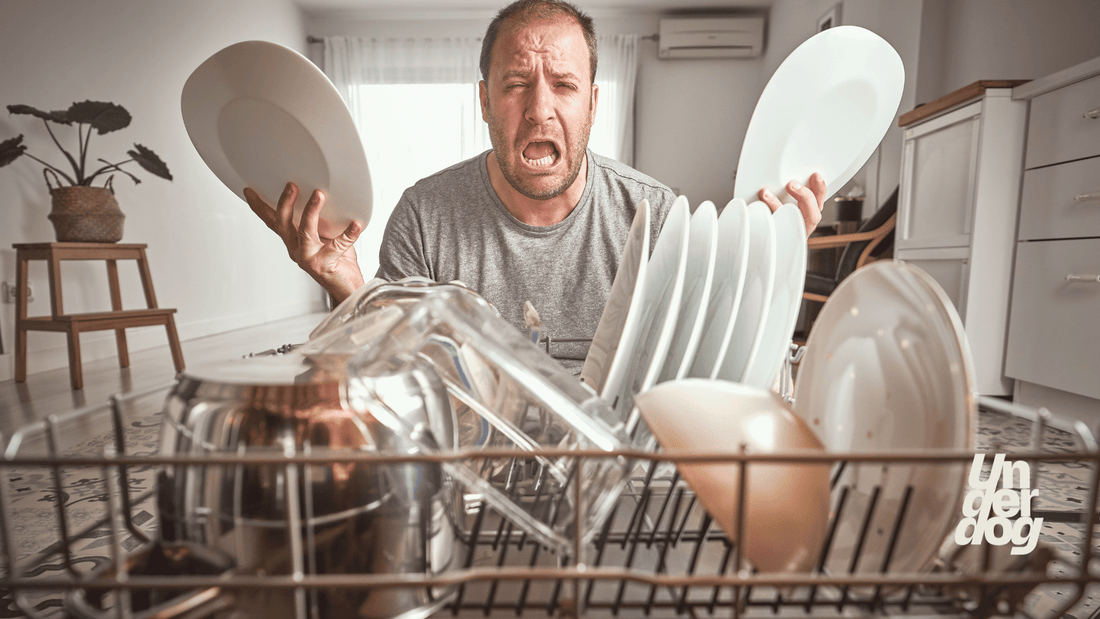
point(415, 103)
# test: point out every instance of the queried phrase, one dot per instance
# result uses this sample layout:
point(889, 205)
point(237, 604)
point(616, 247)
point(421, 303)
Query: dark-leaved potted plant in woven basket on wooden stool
point(81, 212)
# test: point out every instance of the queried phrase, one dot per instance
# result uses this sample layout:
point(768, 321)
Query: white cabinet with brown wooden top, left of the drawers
point(958, 213)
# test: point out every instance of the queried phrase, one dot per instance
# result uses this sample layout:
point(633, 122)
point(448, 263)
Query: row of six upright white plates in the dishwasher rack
point(718, 300)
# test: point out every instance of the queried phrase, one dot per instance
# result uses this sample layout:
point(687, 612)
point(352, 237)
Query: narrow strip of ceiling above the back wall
point(408, 9)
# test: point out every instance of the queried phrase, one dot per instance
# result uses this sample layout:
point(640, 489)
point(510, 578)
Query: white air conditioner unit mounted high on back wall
point(711, 38)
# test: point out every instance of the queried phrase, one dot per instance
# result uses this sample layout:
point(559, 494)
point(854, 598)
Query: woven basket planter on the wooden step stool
point(86, 215)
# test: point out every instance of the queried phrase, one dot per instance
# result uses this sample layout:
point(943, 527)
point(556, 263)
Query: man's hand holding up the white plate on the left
point(332, 262)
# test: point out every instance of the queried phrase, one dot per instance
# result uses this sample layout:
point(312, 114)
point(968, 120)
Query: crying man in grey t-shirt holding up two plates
point(538, 218)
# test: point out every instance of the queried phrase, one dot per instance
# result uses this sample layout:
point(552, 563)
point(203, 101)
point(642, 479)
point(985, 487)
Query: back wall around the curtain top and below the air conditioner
point(690, 115)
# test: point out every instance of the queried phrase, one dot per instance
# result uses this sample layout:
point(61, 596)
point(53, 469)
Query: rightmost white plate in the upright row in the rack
point(786, 299)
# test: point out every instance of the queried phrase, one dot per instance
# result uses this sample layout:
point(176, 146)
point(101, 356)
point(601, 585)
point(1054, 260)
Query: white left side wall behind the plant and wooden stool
point(212, 259)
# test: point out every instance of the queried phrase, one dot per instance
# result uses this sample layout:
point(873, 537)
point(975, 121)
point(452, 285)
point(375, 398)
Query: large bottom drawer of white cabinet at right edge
point(1053, 336)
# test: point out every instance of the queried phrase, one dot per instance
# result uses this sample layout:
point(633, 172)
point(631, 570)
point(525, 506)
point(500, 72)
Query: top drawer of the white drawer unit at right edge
point(1061, 129)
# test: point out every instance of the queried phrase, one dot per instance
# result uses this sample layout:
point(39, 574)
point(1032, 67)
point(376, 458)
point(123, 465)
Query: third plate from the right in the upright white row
point(730, 269)
